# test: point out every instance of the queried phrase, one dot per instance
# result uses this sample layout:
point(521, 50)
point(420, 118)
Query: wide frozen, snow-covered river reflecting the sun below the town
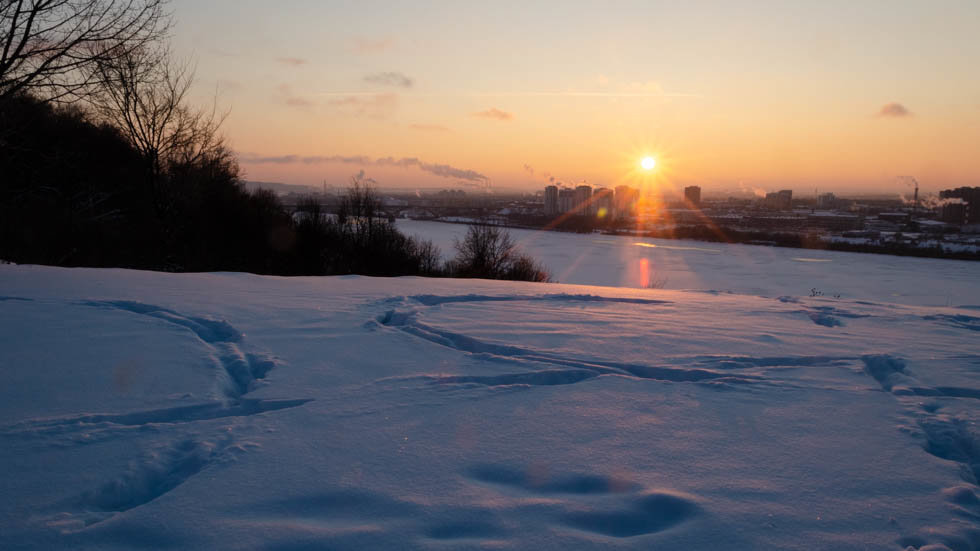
point(619, 261)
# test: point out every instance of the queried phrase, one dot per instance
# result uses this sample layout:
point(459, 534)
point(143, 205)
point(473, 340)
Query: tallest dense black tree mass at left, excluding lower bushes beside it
point(75, 192)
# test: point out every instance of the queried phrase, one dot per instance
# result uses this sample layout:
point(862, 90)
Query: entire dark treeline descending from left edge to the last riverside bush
point(76, 192)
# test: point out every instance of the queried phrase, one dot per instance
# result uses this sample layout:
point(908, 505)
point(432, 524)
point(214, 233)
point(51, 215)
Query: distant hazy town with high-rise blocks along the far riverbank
point(946, 224)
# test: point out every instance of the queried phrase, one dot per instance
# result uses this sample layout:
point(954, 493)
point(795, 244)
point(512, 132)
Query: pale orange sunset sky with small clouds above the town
point(757, 96)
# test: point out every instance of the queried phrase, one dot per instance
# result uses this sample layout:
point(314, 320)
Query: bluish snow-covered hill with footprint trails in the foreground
point(205, 411)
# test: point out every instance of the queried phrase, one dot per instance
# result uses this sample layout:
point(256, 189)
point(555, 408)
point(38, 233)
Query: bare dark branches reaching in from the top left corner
point(51, 47)
